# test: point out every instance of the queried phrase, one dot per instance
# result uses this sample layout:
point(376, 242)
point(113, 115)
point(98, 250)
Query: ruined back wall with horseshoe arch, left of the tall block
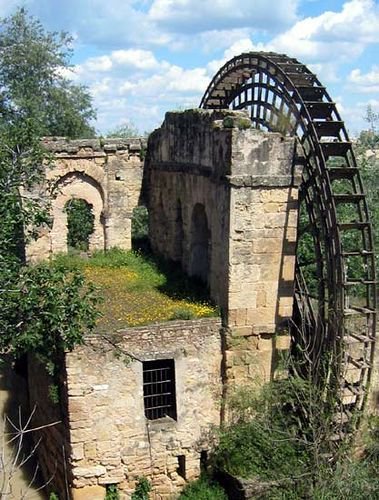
point(107, 175)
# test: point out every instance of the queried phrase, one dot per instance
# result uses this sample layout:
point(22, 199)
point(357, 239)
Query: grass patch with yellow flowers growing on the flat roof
point(137, 289)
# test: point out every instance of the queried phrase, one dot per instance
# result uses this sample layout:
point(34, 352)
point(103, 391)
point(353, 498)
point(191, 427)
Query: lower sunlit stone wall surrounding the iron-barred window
point(112, 441)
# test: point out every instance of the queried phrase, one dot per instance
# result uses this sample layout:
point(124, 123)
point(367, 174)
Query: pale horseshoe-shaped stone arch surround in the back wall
point(81, 186)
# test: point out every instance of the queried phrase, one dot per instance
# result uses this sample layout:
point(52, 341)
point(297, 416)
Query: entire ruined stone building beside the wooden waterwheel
point(222, 202)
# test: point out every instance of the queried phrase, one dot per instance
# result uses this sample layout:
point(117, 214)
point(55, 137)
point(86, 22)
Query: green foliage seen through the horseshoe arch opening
point(80, 223)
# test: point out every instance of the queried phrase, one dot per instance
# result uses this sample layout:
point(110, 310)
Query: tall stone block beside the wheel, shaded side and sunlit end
point(246, 183)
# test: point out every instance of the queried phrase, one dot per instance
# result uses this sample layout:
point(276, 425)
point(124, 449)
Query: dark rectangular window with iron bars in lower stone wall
point(159, 389)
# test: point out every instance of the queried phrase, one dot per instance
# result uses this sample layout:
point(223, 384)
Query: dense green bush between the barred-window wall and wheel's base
point(263, 439)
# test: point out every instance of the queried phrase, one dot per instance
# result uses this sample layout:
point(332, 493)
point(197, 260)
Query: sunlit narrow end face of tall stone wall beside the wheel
point(262, 244)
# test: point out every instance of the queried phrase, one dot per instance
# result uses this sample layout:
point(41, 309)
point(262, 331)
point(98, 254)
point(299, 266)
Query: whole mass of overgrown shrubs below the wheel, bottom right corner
point(282, 438)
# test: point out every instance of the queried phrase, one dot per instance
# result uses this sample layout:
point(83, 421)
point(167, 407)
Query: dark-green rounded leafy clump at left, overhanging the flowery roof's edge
point(45, 311)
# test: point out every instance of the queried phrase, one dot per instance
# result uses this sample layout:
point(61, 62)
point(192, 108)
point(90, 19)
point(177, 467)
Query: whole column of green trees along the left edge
point(44, 309)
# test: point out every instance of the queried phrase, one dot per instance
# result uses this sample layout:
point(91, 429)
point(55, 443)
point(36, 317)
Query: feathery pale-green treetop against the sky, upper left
point(32, 64)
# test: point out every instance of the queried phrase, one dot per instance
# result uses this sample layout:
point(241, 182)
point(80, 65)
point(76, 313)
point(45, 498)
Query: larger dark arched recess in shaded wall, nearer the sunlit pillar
point(200, 244)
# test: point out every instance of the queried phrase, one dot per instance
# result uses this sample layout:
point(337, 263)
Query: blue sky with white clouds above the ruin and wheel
point(141, 58)
